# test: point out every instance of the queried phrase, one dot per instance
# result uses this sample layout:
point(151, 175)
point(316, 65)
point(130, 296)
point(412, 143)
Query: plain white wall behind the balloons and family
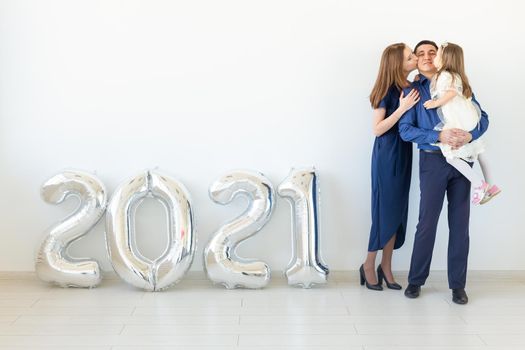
point(201, 87)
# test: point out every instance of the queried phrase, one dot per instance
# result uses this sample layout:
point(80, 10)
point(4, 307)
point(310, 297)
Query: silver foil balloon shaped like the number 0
point(127, 261)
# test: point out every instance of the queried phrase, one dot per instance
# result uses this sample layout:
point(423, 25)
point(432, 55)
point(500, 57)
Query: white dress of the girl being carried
point(460, 112)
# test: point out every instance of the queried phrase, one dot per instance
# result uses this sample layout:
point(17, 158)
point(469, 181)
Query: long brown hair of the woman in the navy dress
point(390, 73)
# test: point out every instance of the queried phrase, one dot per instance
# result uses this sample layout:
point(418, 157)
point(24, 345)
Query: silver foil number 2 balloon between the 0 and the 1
point(221, 263)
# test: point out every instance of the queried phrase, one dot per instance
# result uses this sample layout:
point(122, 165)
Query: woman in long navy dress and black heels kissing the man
point(391, 164)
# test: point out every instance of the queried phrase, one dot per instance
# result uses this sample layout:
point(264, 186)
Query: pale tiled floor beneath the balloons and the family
point(197, 315)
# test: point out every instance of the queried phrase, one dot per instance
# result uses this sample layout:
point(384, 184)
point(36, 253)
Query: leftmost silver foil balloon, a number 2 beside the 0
point(53, 264)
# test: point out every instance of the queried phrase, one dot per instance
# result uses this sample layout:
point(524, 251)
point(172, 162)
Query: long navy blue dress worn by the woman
point(391, 172)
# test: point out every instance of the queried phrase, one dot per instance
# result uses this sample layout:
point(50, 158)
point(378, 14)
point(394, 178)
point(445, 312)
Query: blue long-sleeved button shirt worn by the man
point(417, 124)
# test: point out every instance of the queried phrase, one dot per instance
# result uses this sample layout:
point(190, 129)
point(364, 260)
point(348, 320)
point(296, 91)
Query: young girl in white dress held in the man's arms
point(451, 92)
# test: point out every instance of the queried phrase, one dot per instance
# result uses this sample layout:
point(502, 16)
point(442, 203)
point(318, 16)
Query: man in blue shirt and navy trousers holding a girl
point(437, 177)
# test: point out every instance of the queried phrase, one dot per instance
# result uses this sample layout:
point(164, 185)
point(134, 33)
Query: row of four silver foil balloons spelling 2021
point(222, 265)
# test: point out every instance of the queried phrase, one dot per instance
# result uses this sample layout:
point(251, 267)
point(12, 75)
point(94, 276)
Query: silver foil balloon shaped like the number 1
point(301, 189)
